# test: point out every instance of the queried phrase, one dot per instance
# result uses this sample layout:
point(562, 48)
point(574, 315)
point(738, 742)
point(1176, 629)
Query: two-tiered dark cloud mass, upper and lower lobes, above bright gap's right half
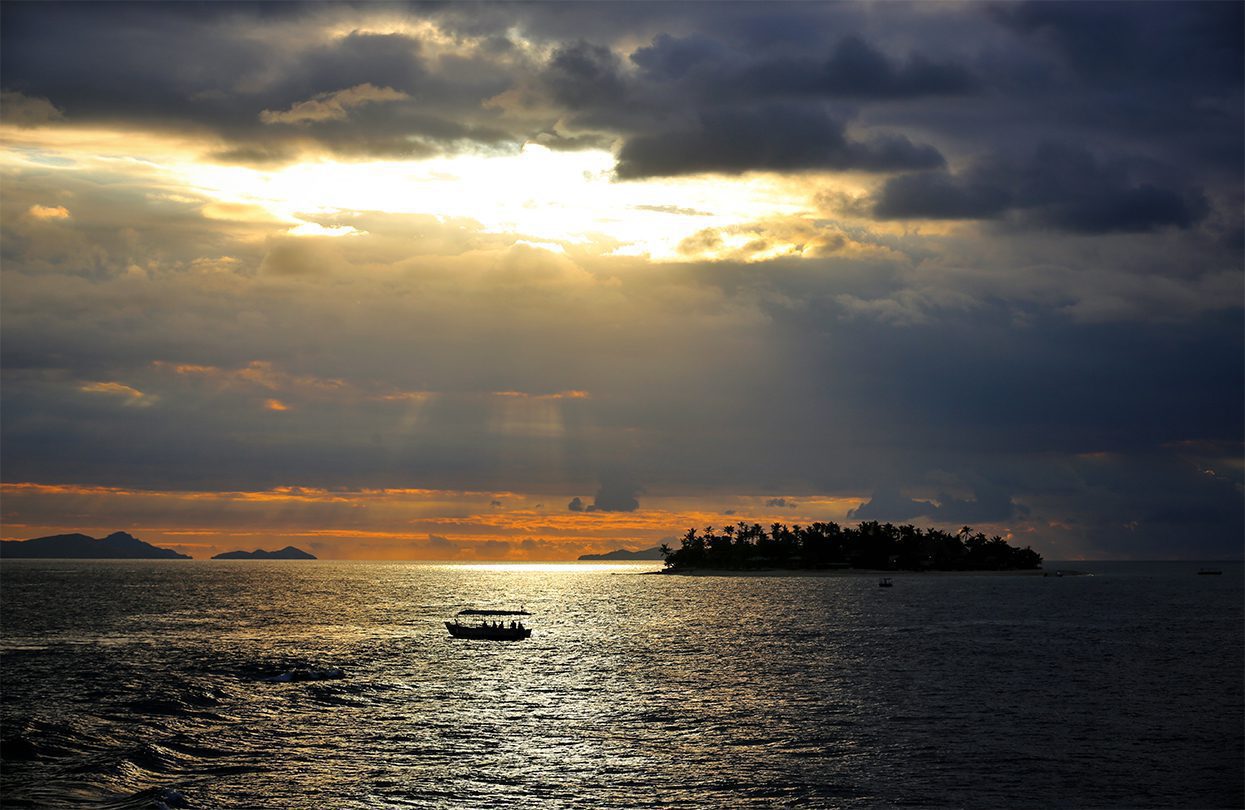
point(743, 111)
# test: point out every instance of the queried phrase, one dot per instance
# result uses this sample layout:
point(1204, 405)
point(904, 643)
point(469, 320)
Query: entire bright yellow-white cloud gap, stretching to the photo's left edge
point(542, 198)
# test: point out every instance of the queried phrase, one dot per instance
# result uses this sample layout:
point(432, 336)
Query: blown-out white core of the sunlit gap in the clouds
point(538, 195)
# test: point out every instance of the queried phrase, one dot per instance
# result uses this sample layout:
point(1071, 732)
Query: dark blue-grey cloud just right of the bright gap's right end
point(1060, 186)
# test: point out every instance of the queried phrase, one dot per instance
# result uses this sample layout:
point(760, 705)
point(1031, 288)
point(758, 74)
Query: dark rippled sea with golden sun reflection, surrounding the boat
point(149, 684)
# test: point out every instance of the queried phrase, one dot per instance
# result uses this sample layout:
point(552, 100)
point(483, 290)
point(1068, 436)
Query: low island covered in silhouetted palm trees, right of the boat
point(827, 547)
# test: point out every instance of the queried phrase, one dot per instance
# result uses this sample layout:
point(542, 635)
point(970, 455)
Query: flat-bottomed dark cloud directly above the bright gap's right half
point(776, 137)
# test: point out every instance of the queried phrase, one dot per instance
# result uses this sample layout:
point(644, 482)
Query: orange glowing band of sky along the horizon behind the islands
point(378, 523)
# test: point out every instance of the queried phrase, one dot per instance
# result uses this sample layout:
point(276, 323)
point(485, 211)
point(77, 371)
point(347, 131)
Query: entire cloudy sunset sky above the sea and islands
point(522, 282)
